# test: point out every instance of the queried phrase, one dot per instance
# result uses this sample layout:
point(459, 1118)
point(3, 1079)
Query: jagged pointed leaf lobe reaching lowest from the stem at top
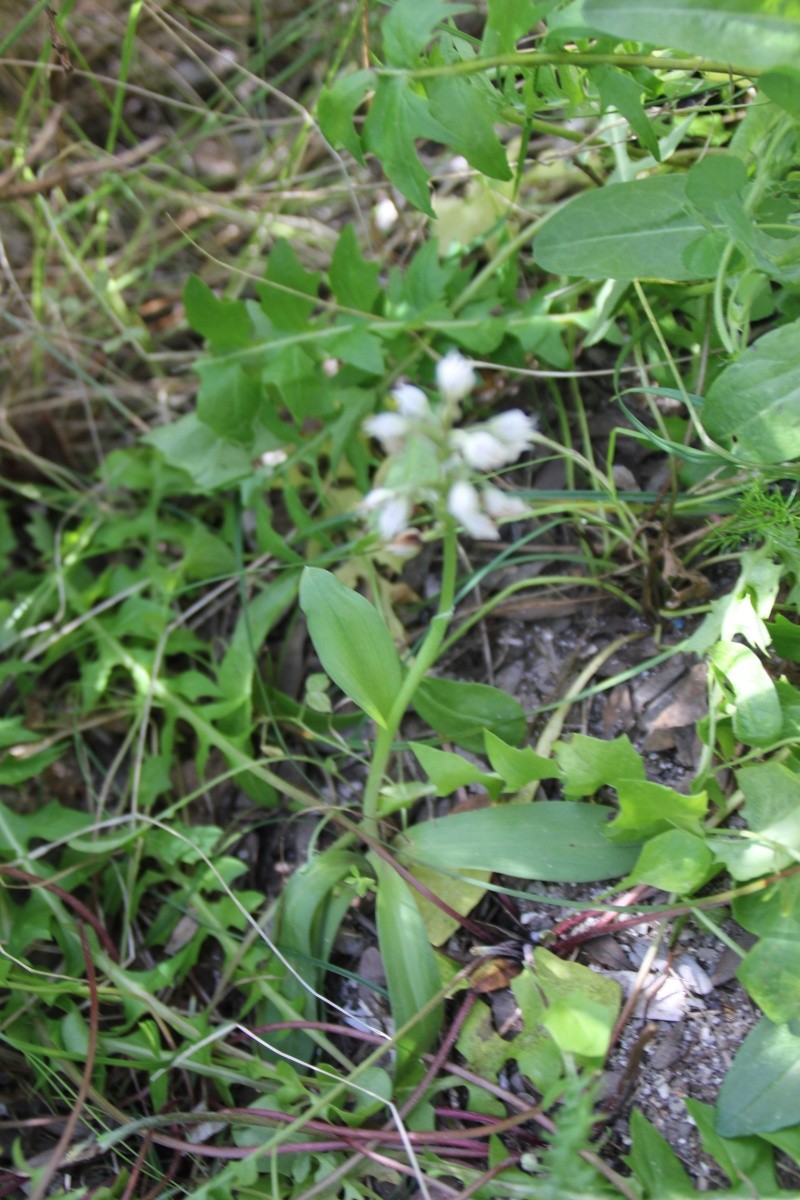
point(399, 116)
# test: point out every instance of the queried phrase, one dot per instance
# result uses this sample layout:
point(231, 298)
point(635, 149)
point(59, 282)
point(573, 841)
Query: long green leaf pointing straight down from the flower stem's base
point(410, 963)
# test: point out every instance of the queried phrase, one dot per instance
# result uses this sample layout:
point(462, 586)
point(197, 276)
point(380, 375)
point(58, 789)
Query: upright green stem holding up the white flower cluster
point(423, 663)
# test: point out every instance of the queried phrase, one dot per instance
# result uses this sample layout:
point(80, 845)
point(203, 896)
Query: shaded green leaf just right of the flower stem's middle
point(464, 712)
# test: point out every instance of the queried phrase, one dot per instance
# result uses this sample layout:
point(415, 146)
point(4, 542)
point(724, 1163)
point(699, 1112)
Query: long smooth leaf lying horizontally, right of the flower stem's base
point(551, 841)
